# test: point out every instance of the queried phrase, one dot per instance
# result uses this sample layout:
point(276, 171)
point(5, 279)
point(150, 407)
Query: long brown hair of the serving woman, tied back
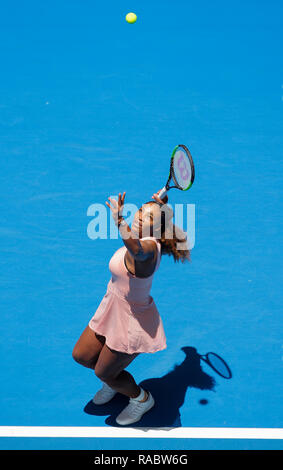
point(169, 245)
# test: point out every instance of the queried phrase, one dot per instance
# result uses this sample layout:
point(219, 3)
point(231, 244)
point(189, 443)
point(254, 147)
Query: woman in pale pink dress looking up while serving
point(127, 321)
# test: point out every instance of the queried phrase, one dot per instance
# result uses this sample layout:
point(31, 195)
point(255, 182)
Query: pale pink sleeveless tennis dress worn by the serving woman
point(127, 315)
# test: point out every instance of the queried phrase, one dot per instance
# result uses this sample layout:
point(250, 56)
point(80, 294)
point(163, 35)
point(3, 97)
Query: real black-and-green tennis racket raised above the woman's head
point(182, 170)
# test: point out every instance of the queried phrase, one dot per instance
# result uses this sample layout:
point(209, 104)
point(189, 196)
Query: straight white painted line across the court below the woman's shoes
point(117, 432)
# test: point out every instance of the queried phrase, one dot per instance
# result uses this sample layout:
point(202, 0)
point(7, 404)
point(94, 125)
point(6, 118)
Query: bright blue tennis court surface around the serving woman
point(91, 106)
